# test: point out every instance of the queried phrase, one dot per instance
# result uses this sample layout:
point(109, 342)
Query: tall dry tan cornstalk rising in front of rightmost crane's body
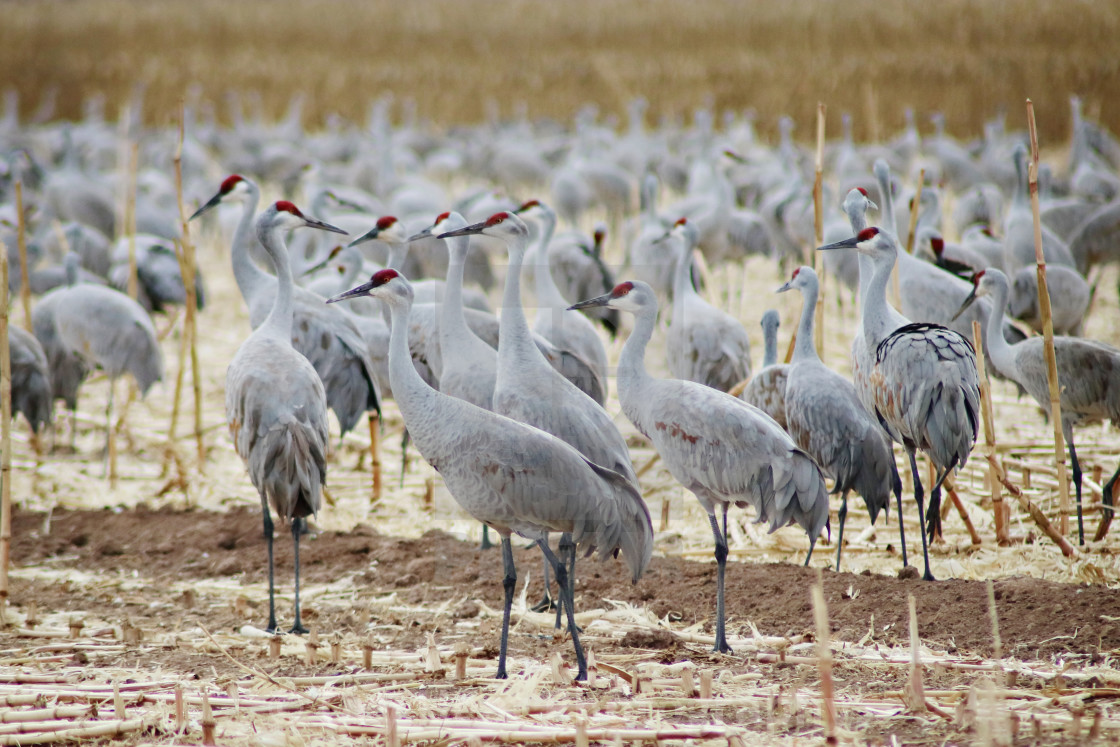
point(1044, 311)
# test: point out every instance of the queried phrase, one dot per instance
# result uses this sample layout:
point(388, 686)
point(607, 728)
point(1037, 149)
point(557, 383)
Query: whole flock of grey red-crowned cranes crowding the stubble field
point(511, 414)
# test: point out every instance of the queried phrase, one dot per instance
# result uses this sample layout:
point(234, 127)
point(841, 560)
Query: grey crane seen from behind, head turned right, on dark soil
point(276, 405)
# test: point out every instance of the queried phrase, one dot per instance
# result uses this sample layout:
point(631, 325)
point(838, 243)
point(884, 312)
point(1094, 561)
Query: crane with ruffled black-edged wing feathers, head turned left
point(922, 382)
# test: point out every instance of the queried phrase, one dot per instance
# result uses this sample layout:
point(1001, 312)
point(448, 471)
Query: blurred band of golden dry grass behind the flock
point(455, 58)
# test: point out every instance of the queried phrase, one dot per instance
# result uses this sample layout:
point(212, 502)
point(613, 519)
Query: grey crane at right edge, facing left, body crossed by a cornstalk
point(1088, 384)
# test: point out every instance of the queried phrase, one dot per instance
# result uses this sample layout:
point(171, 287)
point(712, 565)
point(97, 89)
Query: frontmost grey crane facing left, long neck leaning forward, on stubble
point(509, 475)
